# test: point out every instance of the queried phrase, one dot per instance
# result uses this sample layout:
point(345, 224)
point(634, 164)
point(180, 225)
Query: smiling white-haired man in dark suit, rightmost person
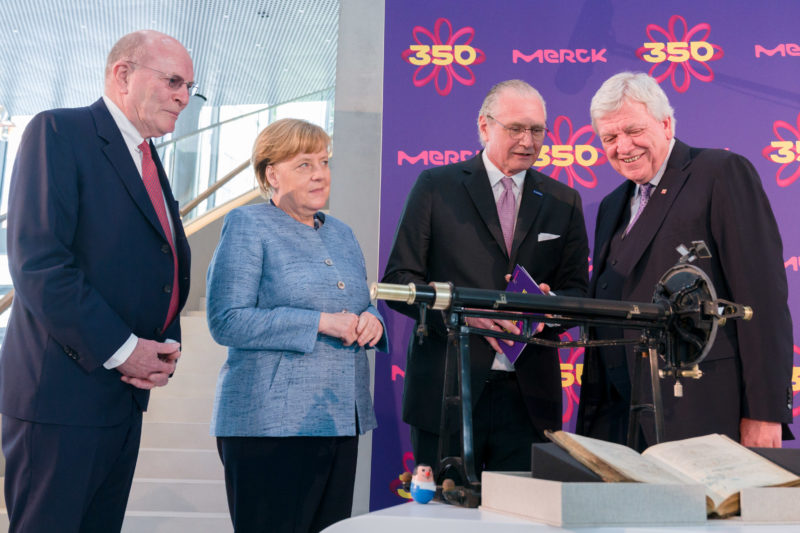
point(675, 194)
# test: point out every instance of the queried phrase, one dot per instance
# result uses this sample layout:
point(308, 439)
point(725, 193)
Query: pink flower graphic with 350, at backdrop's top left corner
point(443, 75)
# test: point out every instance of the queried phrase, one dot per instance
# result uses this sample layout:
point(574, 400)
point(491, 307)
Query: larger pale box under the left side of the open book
point(592, 504)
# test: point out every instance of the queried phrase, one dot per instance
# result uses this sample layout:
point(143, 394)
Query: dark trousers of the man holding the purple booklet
point(502, 430)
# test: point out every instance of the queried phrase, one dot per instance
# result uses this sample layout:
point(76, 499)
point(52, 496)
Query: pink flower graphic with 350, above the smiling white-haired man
point(669, 68)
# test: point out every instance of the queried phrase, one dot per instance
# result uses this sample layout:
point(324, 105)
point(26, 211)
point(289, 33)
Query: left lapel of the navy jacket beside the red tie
point(120, 158)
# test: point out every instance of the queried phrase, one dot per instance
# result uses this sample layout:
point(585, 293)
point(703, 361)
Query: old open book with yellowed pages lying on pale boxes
point(722, 465)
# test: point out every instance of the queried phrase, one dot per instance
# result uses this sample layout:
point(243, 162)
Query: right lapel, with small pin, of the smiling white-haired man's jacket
point(651, 219)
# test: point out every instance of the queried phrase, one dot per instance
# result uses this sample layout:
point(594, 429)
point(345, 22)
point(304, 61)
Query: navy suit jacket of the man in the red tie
point(90, 265)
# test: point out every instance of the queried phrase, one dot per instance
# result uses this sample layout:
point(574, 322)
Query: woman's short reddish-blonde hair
point(282, 140)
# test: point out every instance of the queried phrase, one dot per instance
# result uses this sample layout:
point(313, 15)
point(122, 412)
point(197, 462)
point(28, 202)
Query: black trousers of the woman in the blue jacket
point(288, 484)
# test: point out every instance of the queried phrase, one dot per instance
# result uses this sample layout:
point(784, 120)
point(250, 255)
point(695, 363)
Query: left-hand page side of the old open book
point(622, 459)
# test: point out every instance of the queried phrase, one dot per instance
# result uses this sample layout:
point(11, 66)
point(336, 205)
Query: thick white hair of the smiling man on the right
point(631, 86)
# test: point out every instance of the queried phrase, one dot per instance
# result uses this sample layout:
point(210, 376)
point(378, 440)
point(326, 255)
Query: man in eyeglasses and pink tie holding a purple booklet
point(470, 223)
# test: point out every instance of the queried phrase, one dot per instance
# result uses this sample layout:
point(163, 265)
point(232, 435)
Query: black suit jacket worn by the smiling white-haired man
point(715, 196)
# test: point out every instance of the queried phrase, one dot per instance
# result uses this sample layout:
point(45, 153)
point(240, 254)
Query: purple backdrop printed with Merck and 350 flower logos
point(731, 71)
